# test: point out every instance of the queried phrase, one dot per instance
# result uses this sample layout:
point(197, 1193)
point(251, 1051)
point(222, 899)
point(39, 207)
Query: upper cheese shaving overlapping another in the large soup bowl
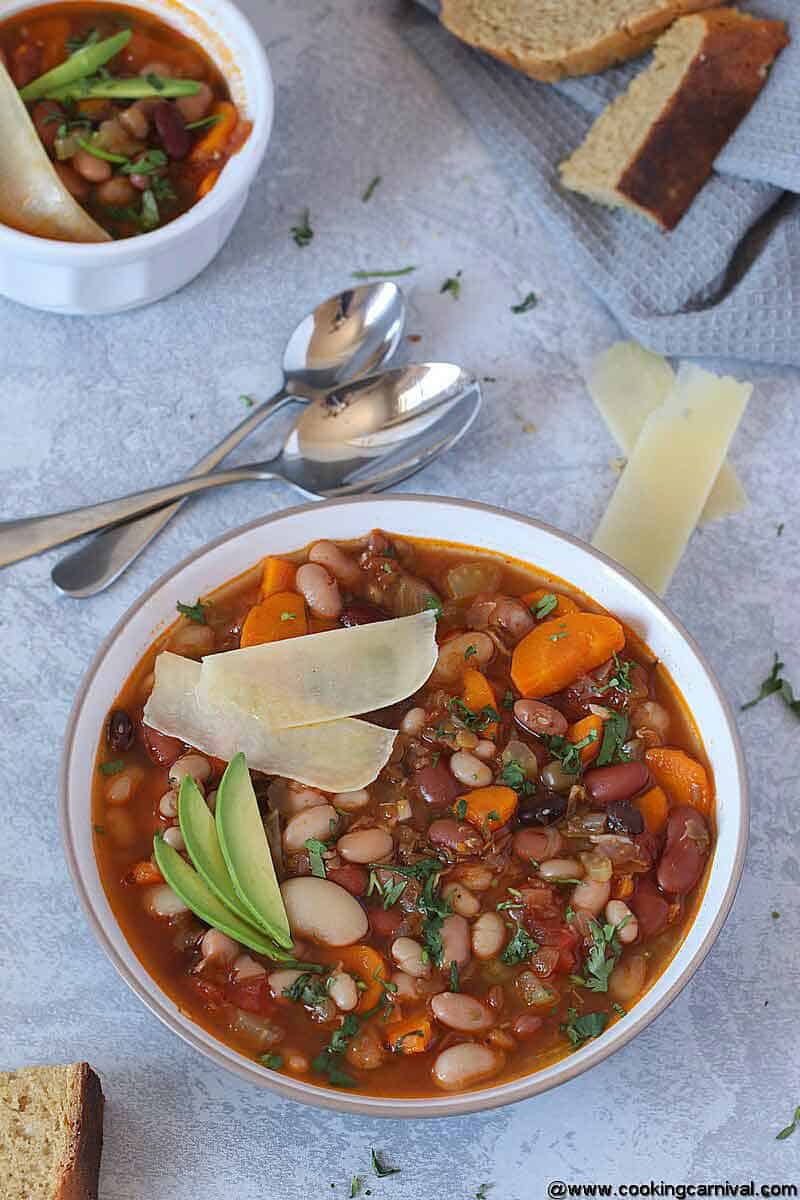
point(323, 677)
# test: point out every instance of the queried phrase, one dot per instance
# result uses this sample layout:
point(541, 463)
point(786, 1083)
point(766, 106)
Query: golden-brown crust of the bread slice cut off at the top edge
point(465, 19)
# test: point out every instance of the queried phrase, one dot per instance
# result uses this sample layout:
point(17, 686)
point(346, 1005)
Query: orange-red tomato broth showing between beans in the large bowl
point(167, 947)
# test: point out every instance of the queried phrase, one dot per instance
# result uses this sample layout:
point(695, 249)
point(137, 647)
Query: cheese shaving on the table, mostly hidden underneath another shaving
point(628, 383)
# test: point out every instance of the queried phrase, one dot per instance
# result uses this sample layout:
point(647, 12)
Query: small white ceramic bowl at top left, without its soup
point(93, 280)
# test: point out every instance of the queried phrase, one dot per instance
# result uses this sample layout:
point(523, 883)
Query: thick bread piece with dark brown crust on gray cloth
point(654, 147)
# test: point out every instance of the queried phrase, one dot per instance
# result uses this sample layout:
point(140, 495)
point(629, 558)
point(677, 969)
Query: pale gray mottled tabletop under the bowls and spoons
point(93, 407)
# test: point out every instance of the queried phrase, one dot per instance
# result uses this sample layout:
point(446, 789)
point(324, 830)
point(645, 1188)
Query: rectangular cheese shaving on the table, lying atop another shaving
point(670, 475)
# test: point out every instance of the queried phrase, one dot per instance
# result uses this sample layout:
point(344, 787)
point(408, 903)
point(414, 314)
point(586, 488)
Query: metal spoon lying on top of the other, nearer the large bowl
point(363, 437)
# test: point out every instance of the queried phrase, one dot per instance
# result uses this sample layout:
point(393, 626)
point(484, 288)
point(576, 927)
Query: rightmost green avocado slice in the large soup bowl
point(246, 851)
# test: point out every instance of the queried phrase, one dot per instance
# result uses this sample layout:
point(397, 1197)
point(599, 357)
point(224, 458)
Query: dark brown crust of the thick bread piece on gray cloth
point(717, 94)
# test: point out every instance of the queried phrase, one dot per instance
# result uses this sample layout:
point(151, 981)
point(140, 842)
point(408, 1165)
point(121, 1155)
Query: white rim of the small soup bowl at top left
point(236, 175)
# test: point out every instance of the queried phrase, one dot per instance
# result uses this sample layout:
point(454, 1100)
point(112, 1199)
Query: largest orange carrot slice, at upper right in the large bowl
point(558, 652)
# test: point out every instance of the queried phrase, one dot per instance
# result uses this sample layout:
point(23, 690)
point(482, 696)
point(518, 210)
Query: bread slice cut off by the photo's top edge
point(552, 39)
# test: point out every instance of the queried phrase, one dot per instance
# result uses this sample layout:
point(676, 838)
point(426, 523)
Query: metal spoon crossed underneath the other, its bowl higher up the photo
point(346, 338)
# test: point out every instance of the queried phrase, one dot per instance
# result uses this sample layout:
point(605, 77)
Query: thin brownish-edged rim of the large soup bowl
point(450, 1105)
